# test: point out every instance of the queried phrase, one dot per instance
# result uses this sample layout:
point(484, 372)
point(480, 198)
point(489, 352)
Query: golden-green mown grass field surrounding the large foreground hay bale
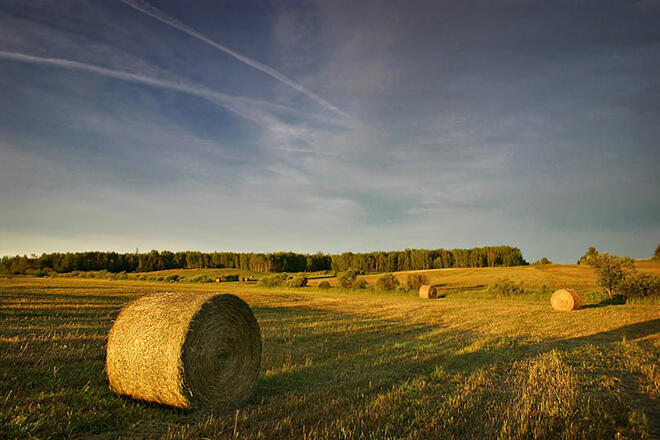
point(345, 365)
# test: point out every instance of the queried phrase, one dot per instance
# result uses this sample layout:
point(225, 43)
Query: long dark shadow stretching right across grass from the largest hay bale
point(344, 350)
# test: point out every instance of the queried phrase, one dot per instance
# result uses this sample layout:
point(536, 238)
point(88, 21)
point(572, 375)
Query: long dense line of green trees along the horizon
point(409, 259)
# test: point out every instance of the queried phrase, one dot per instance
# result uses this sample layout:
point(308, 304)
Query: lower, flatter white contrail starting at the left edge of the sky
point(243, 107)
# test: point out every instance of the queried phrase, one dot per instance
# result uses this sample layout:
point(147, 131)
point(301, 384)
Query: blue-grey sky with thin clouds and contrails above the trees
point(330, 125)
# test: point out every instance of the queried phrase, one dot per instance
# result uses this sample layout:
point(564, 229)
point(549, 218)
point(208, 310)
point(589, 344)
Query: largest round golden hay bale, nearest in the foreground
point(185, 350)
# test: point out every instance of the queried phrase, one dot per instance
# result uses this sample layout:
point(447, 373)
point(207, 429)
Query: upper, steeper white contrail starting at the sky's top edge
point(151, 11)
